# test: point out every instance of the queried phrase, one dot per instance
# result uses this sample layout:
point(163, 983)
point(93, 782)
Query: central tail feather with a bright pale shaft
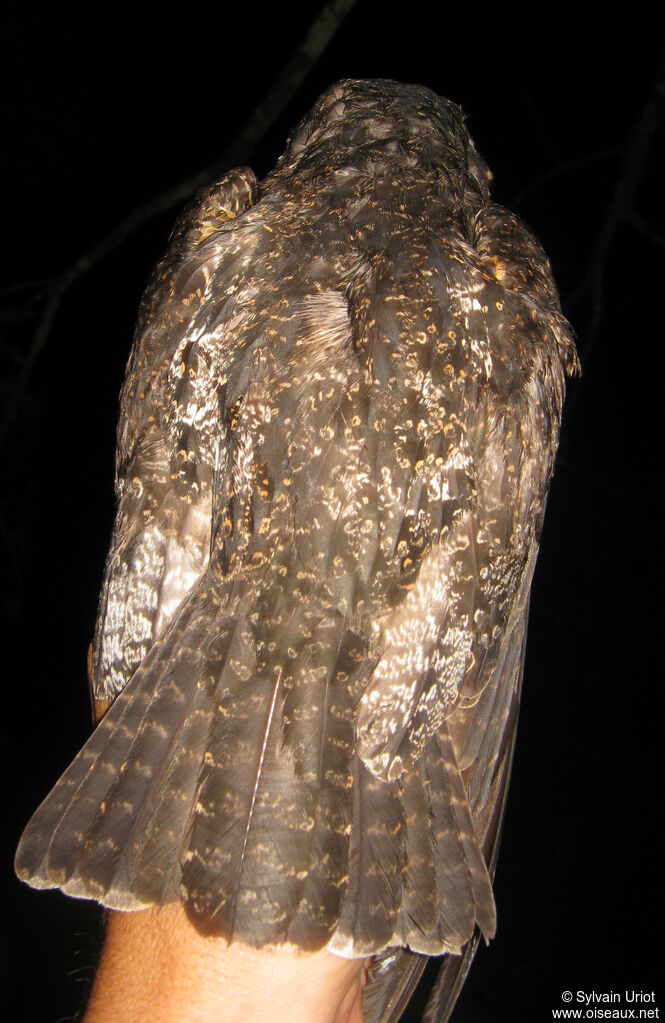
point(236, 877)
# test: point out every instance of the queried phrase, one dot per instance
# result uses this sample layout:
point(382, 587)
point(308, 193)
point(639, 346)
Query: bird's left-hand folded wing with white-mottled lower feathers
point(161, 540)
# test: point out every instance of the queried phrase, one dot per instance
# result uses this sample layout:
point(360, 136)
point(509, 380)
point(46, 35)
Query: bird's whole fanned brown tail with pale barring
point(207, 782)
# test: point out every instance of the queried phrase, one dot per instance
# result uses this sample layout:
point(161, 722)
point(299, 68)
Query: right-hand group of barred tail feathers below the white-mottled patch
point(417, 874)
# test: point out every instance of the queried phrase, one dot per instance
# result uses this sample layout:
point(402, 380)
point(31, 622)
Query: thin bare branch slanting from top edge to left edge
point(265, 114)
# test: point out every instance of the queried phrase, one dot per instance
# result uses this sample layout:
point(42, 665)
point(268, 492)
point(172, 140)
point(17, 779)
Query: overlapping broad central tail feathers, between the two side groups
point(279, 771)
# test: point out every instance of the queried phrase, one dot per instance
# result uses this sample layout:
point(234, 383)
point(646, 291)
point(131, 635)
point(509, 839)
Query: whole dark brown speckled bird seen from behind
point(337, 435)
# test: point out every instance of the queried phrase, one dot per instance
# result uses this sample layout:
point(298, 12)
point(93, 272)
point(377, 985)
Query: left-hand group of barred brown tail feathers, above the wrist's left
point(84, 836)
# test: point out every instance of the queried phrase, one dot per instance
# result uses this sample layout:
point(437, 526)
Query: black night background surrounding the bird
point(104, 109)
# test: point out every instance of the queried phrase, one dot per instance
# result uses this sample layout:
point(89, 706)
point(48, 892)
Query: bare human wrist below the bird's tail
point(157, 968)
